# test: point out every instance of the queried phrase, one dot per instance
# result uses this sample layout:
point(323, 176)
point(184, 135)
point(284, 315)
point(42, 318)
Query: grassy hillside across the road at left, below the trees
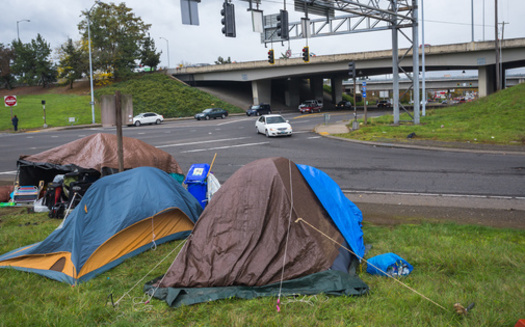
point(150, 92)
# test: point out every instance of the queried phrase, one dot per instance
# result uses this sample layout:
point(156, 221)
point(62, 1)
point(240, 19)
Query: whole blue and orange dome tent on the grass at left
point(120, 216)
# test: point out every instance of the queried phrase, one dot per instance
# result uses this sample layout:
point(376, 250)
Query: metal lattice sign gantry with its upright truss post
point(361, 16)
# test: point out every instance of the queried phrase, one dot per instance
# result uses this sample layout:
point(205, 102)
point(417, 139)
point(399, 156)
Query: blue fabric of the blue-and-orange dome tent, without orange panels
point(112, 204)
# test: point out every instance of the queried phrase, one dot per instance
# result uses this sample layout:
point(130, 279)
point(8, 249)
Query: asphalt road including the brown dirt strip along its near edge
point(388, 182)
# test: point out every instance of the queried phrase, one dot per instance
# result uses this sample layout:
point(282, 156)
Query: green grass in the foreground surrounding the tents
point(452, 263)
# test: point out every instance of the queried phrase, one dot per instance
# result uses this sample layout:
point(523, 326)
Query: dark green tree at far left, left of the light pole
point(32, 63)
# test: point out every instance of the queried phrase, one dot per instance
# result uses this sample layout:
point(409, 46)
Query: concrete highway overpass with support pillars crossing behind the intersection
point(285, 79)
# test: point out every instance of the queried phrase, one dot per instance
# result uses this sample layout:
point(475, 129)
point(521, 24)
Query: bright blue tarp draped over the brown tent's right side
point(345, 214)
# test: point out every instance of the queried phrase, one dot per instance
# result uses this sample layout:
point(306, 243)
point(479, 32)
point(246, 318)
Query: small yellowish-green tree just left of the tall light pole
point(73, 61)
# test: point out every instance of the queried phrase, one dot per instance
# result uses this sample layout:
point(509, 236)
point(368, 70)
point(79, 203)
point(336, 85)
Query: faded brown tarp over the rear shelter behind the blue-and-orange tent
point(96, 154)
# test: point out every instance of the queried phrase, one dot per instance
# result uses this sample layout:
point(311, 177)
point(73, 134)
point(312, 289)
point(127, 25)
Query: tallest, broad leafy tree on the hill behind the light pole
point(116, 37)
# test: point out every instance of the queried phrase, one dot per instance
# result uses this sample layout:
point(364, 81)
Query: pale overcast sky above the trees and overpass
point(446, 21)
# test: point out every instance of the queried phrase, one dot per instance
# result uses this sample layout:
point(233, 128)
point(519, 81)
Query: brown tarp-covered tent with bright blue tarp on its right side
point(237, 247)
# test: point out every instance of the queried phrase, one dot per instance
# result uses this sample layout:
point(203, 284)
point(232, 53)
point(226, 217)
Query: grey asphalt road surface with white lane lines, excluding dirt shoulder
point(355, 167)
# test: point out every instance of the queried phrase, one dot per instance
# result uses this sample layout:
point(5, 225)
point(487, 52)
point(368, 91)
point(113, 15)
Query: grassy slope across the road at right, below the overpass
point(496, 119)
